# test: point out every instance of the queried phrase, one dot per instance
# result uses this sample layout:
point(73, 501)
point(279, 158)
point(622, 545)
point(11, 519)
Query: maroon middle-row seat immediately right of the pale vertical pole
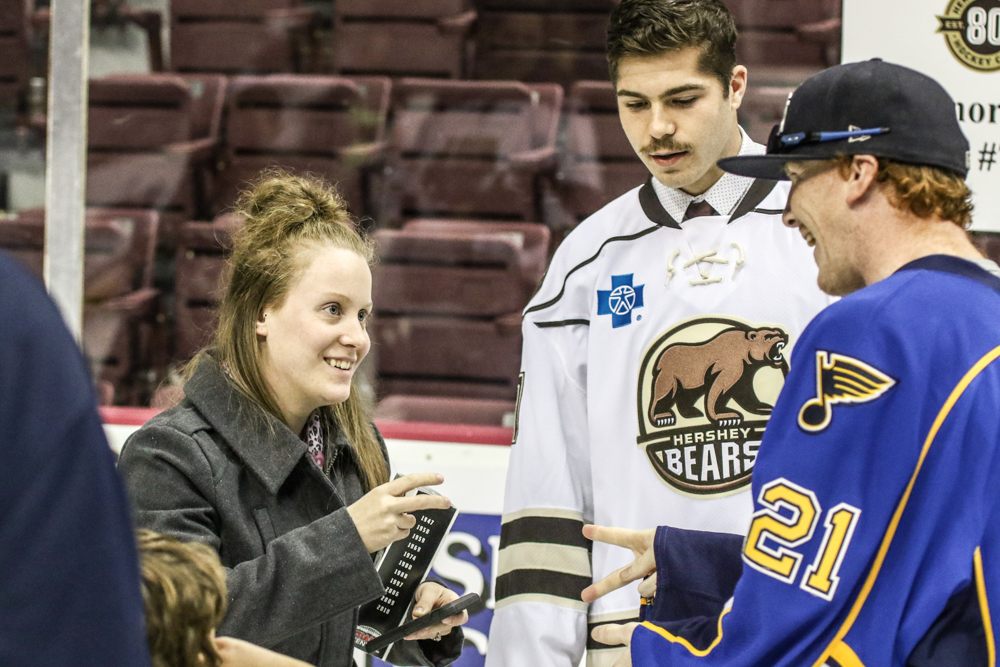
point(152, 140)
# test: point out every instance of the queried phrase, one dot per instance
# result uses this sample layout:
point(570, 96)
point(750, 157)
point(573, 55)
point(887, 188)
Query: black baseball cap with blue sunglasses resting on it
point(867, 108)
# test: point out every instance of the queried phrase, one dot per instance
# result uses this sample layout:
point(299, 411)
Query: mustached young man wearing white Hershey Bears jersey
point(655, 347)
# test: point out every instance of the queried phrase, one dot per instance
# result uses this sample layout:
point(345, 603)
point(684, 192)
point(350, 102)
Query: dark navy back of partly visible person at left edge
point(69, 574)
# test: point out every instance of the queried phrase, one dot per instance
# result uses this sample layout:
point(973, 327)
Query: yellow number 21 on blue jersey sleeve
point(787, 521)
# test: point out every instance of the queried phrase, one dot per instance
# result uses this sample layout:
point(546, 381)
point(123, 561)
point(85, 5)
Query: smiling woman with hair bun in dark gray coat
point(271, 459)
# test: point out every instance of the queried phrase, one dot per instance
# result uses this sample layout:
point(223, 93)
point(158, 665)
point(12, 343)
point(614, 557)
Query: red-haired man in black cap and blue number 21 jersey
point(874, 539)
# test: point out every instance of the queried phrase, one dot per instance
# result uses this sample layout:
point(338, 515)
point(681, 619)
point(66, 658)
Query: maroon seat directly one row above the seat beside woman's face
point(470, 149)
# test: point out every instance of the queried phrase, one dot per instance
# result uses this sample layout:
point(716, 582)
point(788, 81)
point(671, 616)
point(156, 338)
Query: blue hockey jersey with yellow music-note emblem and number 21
point(876, 531)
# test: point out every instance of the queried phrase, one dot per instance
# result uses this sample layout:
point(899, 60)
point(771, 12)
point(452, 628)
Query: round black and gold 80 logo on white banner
point(971, 29)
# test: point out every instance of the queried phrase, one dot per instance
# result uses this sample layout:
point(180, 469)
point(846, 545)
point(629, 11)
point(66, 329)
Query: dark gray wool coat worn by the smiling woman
point(217, 470)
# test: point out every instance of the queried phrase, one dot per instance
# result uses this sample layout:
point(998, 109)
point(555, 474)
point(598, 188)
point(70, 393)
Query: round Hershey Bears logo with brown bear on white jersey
point(706, 389)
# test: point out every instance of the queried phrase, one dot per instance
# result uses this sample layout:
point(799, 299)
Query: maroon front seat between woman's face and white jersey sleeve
point(449, 295)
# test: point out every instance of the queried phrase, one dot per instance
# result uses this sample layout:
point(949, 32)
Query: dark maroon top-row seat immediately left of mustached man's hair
point(527, 40)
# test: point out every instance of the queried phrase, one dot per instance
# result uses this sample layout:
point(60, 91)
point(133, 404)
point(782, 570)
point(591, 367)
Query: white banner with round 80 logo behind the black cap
point(958, 43)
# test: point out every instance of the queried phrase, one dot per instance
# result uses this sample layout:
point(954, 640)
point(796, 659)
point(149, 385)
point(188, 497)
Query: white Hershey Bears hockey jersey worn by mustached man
point(652, 355)
